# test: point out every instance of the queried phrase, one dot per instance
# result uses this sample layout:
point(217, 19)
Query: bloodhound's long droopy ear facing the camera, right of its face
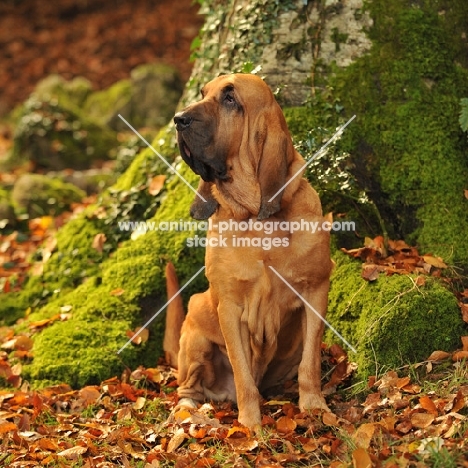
point(277, 153)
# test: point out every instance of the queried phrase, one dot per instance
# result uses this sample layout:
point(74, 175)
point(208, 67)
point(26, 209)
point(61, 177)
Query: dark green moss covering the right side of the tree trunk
point(406, 144)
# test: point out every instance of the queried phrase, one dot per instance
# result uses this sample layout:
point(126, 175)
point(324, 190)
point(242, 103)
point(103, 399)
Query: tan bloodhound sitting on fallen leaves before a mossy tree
point(259, 323)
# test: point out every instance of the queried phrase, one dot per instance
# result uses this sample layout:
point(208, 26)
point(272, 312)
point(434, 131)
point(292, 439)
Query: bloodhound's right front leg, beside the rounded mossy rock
point(309, 374)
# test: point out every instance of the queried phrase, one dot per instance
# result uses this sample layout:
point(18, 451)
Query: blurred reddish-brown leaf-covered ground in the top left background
point(101, 40)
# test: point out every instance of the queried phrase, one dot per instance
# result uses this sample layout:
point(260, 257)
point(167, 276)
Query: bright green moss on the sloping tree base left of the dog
point(109, 295)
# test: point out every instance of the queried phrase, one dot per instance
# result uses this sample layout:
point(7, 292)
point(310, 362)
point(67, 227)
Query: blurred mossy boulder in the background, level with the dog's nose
point(148, 99)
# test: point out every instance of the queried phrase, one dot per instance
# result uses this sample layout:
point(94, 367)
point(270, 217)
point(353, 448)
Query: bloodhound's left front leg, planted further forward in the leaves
point(236, 337)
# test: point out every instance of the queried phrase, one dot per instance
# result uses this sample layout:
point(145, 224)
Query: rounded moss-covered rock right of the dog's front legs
point(392, 321)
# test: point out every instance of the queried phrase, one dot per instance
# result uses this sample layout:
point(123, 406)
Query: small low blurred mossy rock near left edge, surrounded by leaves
point(39, 195)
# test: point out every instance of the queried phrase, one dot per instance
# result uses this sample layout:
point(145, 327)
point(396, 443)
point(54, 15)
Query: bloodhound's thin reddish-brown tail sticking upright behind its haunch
point(174, 317)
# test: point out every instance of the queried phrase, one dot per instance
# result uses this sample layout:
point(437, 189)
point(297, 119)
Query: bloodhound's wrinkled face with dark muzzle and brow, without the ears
point(211, 131)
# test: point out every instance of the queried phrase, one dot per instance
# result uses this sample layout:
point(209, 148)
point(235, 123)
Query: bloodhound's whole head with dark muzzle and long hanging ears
point(236, 137)
